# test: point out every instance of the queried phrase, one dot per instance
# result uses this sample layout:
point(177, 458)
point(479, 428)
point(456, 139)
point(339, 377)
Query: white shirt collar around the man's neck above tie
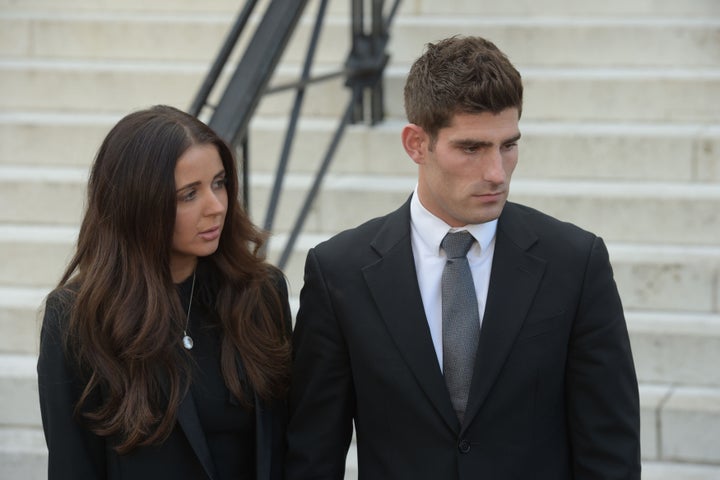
point(430, 230)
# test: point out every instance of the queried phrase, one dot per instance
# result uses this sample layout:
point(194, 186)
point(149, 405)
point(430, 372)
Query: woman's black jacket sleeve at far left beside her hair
point(73, 451)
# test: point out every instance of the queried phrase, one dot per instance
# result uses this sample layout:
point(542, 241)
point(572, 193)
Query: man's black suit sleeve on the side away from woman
point(601, 384)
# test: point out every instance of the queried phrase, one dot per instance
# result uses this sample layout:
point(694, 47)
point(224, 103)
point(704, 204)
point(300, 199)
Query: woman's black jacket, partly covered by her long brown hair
point(76, 453)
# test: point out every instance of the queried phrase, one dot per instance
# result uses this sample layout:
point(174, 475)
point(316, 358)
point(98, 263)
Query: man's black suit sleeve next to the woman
point(322, 398)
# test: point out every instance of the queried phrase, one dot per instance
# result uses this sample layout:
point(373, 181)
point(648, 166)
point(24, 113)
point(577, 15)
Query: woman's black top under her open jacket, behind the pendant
point(228, 426)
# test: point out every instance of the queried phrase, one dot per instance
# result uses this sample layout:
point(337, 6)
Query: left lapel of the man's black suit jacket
point(392, 282)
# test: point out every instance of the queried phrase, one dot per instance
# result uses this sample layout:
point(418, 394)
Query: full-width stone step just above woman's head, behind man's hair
point(558, 94)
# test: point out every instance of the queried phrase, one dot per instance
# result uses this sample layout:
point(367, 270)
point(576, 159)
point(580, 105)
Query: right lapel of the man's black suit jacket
point(514, 280)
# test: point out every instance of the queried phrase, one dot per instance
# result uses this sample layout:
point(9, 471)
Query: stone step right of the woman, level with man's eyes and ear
point(662, 152)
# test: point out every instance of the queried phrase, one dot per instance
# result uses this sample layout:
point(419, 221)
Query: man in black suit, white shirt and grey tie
point(547, 387)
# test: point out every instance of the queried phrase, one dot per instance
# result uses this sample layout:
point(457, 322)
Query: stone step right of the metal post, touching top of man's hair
point(566, 41)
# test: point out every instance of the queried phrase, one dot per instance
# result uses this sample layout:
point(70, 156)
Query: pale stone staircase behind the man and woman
point(621, 135)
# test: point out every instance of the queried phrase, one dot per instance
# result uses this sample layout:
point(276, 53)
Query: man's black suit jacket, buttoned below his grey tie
point(554, 394)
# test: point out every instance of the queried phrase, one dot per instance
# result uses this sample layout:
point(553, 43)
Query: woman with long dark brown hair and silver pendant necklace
point(165, 349)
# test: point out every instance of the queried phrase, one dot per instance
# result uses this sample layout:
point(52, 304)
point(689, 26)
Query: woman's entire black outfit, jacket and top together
point(200, 446)
